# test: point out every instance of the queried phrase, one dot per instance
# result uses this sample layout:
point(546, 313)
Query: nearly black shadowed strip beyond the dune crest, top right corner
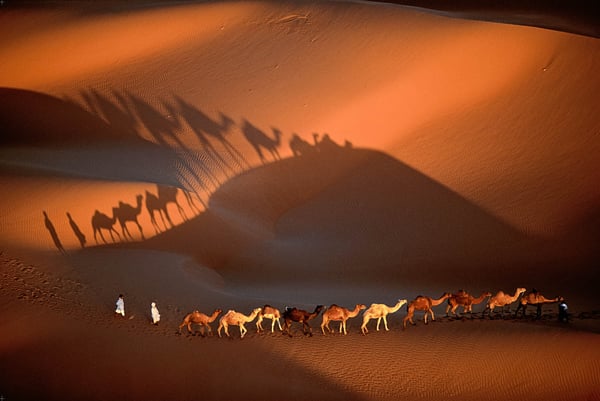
point(579, 16)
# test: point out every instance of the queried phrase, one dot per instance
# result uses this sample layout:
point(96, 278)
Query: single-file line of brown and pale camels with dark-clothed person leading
point(335, 313)
